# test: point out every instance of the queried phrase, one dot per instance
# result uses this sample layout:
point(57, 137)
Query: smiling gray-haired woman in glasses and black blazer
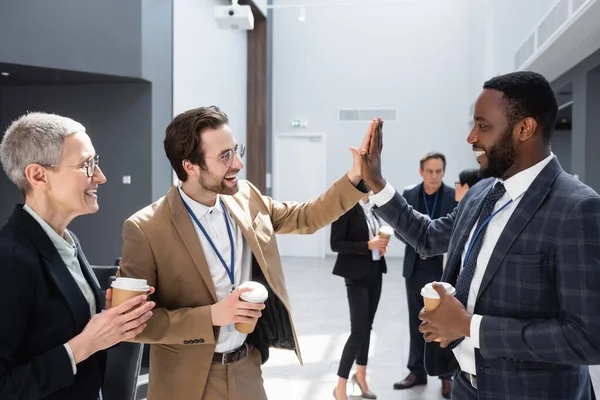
point(53, 341)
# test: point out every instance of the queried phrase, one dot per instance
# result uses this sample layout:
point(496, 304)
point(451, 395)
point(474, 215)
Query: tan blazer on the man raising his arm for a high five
point(160, 245)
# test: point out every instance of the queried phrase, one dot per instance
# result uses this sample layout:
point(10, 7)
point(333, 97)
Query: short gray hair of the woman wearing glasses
point(34, 138)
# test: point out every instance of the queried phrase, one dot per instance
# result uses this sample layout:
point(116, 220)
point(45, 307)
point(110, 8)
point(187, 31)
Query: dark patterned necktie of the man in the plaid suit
point(463, 284)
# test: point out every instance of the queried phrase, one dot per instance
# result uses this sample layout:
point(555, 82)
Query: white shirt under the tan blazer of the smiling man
point(213, 222)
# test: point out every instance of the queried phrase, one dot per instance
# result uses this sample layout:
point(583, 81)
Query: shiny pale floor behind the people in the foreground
point(320, 312)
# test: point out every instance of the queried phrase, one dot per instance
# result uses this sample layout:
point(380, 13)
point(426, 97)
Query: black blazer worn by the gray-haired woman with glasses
point(42, 308)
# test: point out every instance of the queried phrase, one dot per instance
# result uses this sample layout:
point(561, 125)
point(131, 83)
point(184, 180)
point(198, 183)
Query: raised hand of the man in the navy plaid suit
point(370, 152)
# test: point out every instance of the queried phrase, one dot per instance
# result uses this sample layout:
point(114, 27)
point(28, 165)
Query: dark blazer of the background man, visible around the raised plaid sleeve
point(447, 204)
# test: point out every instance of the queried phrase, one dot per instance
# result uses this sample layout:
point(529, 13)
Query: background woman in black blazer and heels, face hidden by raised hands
point(354, 236)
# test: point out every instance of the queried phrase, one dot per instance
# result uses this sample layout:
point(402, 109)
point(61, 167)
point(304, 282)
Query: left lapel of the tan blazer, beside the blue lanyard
point(185, 227)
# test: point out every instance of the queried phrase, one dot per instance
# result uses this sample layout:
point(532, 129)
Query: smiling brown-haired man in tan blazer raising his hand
point(184, 244)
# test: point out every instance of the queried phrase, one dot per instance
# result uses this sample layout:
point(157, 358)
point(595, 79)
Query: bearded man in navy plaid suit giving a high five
point(523, 254)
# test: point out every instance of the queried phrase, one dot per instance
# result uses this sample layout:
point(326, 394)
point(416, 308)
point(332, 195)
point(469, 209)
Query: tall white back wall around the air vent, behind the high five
point(412, 57)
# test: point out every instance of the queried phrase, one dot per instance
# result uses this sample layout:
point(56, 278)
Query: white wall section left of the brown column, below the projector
point(209, 64)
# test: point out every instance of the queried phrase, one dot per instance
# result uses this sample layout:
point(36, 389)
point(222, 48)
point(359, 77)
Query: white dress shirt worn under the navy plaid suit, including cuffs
point(516, 186)
